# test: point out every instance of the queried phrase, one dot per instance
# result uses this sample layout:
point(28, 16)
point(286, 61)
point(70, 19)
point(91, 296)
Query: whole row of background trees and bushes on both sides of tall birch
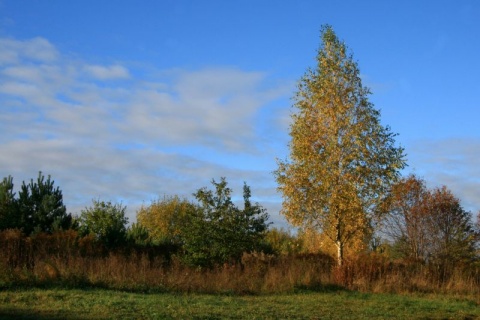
point(427, 226)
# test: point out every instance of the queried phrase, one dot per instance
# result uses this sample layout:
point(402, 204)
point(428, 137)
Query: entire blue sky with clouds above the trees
point(128, 101)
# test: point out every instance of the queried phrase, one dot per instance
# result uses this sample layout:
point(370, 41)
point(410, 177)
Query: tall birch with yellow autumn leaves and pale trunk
point(342, 160)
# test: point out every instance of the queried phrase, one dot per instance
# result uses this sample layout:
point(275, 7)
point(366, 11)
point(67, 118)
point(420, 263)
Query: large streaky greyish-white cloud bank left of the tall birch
point(132, 140)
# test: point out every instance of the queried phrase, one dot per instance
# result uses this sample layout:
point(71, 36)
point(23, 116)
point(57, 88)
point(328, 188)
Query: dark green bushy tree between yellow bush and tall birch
point(218, 231)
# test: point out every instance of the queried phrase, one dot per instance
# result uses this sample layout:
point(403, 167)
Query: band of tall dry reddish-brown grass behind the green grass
point(67, 260)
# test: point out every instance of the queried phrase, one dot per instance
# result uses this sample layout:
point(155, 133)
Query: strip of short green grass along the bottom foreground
point(108, 304)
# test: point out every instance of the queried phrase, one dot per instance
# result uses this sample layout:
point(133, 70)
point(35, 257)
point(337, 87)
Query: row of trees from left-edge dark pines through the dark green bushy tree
point(212, 231)
